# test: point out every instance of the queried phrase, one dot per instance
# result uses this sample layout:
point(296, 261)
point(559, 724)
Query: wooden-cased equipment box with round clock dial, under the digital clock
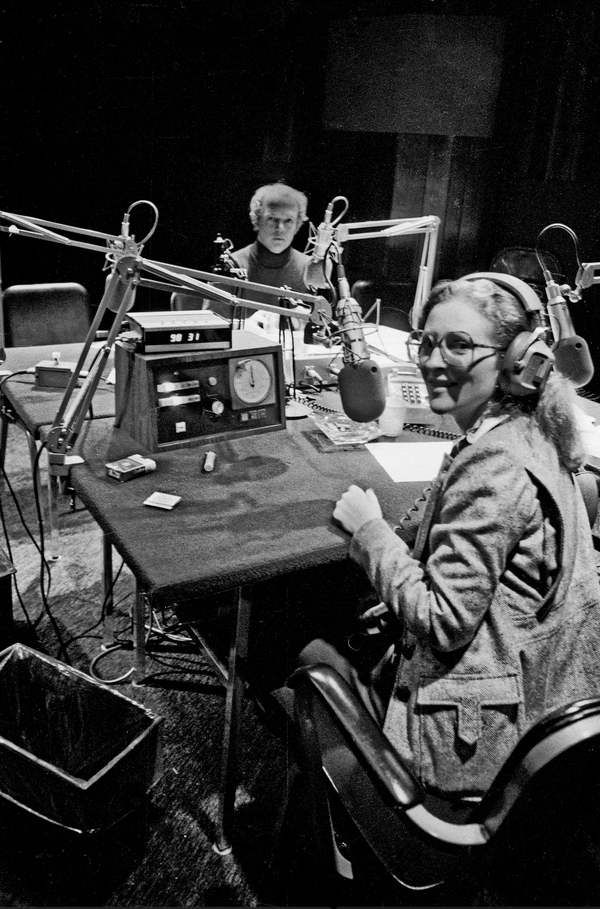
point(181, 399)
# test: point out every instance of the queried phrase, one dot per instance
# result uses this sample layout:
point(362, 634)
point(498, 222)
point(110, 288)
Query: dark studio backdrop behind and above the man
point(192, 104)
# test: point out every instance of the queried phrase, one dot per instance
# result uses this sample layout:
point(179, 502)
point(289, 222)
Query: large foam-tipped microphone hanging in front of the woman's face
point(360, 381)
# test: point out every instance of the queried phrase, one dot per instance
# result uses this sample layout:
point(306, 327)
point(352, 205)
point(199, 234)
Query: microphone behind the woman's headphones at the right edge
point(571, 352)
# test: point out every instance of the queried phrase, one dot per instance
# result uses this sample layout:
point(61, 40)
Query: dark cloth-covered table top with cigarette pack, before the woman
point(264, 511)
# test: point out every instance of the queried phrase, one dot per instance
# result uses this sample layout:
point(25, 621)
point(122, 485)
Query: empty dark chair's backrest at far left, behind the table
point(36, 314)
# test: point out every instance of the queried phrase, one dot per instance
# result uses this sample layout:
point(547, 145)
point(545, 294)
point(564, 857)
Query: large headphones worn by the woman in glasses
point(528, 361)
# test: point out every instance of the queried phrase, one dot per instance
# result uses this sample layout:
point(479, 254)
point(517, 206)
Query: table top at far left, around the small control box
point(37, 407)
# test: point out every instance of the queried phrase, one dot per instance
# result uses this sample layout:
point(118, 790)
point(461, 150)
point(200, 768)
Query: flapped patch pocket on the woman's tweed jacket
point(468, 726)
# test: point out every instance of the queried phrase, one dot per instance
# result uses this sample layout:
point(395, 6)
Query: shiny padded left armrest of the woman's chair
point(367, 737)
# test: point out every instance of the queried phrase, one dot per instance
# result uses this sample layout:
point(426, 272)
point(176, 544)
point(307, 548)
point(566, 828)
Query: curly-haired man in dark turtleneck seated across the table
point(277, 213)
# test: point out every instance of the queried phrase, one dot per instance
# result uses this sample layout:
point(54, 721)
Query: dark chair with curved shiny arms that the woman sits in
point(534, 838)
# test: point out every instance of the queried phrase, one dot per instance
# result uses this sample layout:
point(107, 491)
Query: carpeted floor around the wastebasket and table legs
point(162, 856)
